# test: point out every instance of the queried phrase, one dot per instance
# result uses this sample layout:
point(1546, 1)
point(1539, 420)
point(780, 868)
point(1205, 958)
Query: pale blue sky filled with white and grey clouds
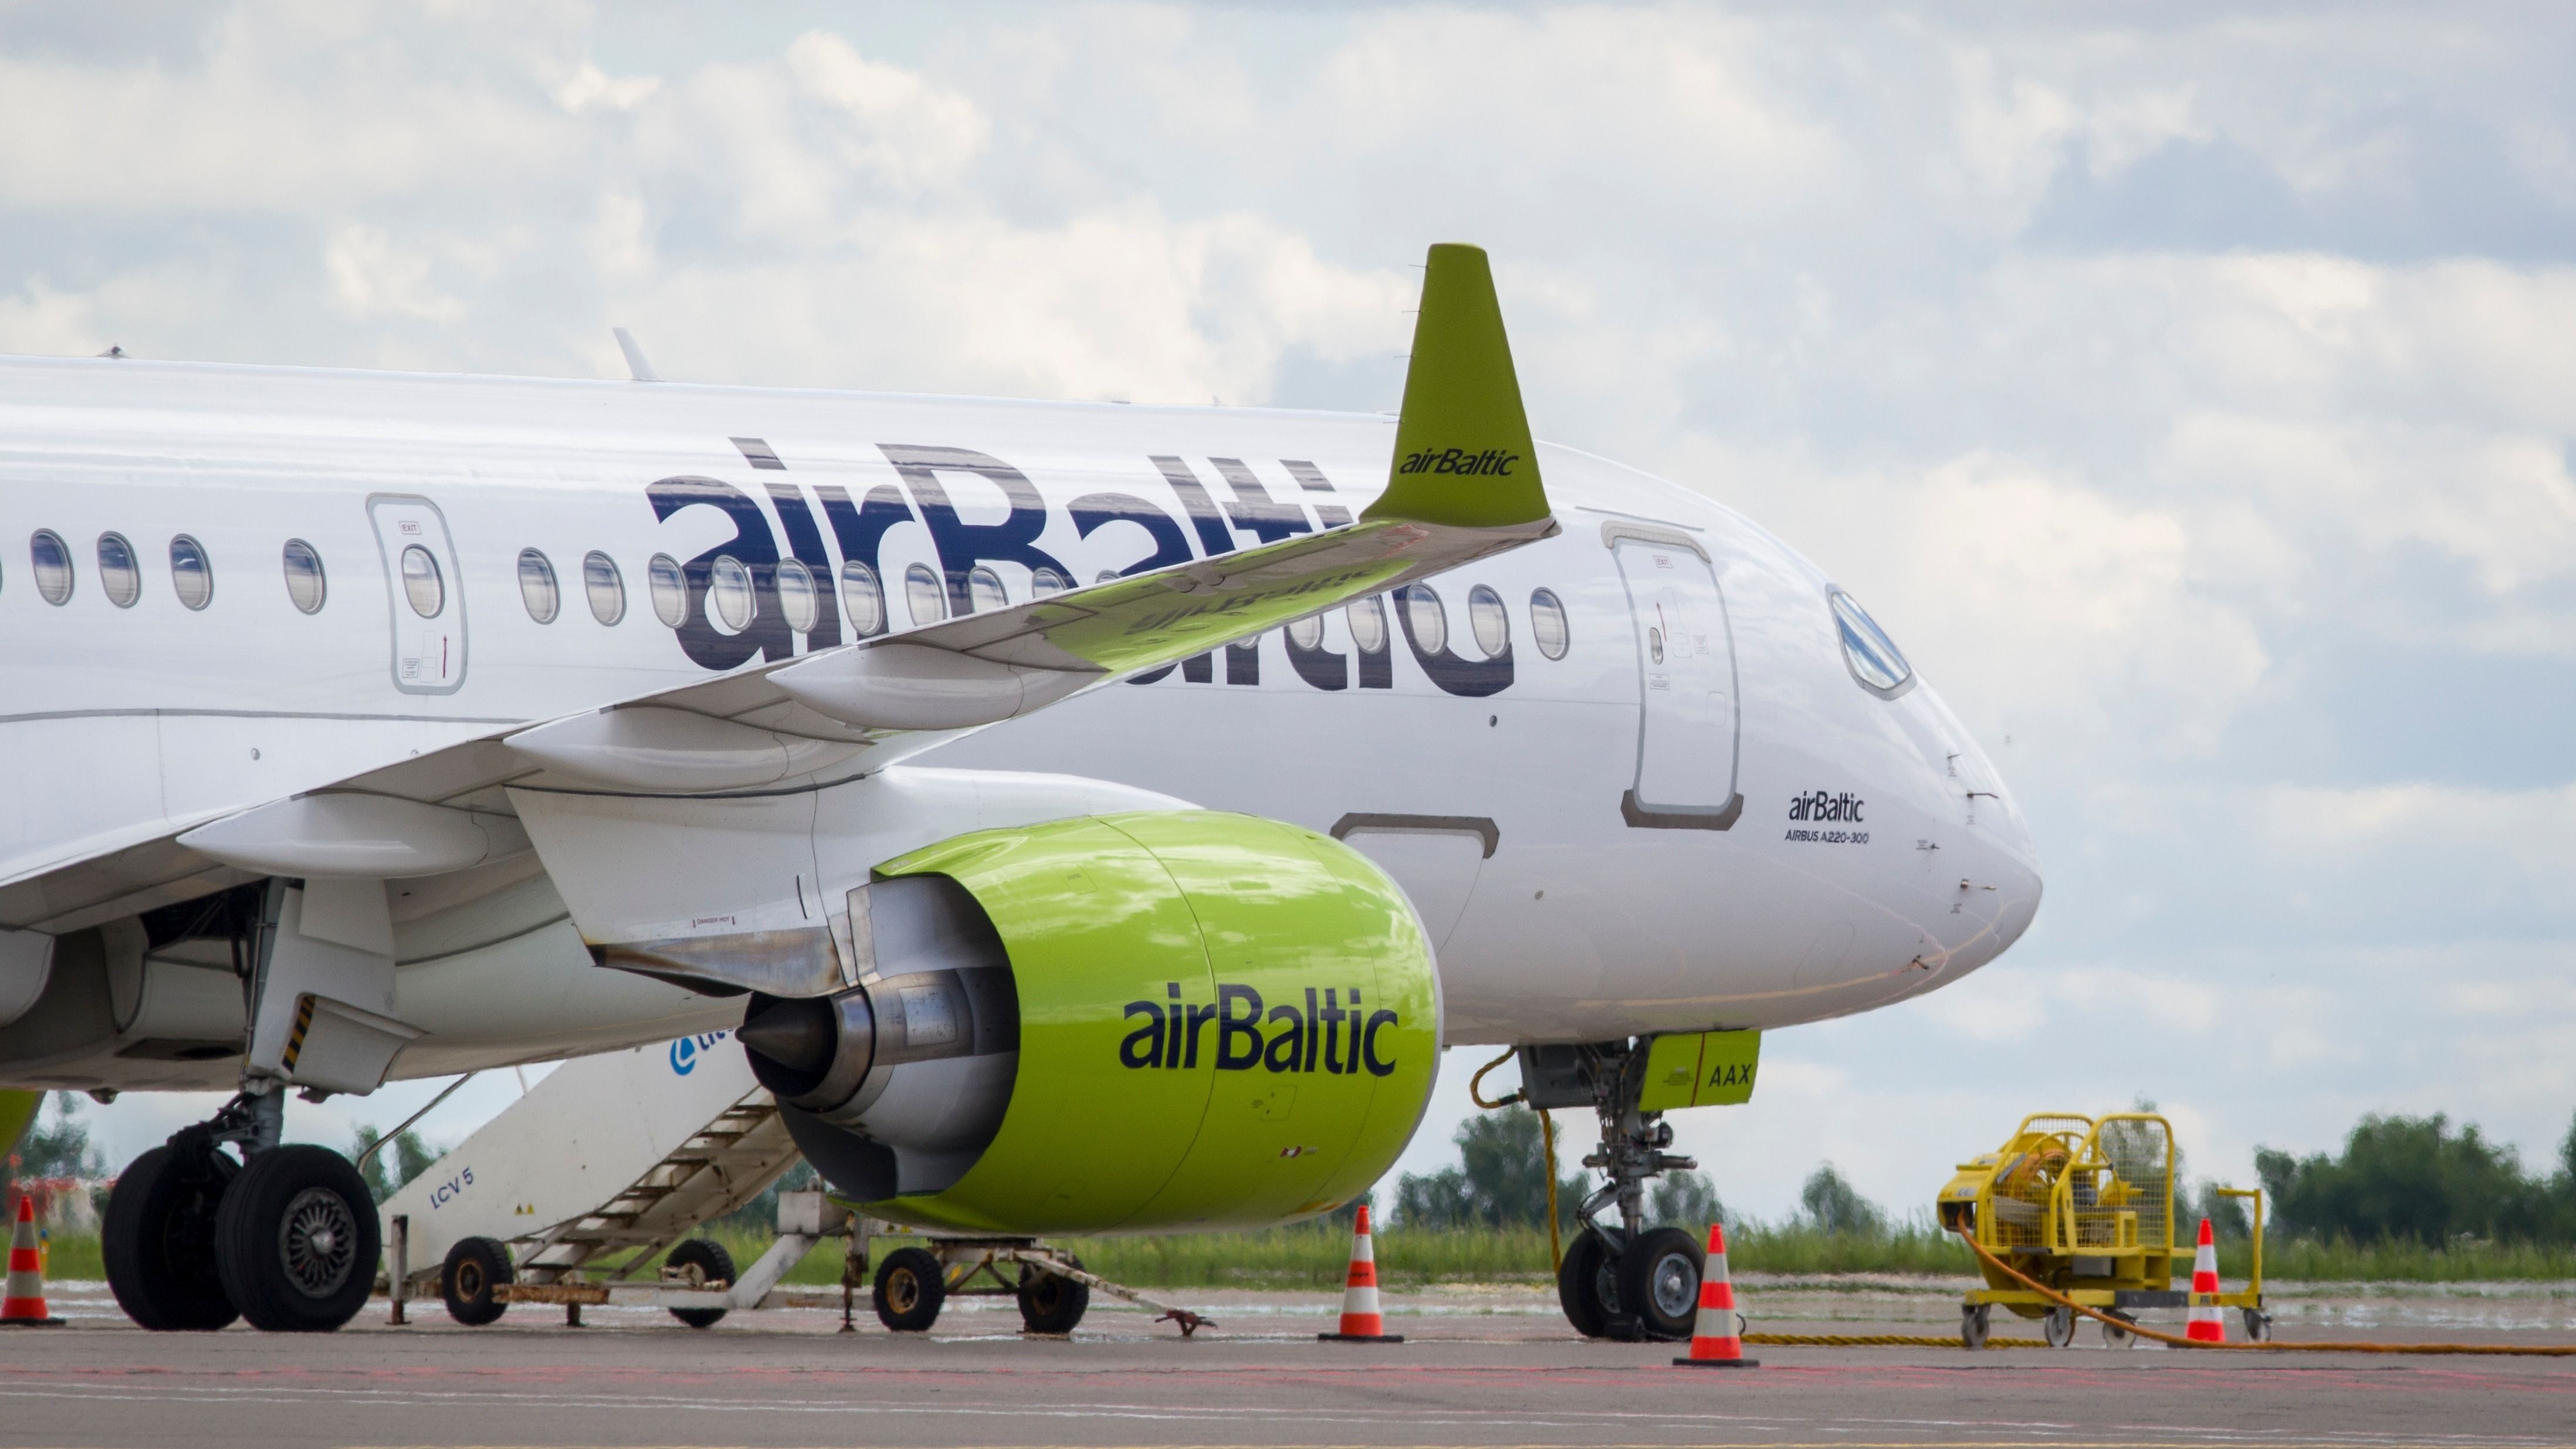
point(2186, 387)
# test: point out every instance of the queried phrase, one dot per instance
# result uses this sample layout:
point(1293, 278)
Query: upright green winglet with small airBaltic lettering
point(1462, 444)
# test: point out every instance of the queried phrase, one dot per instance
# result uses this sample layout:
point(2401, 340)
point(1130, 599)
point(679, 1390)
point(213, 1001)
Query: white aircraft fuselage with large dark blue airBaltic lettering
point(1874, 851)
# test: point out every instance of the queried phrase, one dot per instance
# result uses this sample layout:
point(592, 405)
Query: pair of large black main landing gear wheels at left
point(282, 1237)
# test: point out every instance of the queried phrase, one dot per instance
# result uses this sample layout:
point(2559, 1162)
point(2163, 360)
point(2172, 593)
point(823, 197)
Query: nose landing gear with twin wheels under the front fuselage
point(1622, 1280)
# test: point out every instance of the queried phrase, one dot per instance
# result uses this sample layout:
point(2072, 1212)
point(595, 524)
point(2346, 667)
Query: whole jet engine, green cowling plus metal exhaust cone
point(1150, 1020)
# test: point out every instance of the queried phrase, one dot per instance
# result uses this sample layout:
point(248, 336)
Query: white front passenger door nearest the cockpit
point(1686, 750)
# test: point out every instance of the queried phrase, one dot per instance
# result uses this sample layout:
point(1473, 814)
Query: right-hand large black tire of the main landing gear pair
point(298, 1242)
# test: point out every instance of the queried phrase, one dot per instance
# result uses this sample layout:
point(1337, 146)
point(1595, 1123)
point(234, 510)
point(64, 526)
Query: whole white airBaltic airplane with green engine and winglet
point(1088, 817)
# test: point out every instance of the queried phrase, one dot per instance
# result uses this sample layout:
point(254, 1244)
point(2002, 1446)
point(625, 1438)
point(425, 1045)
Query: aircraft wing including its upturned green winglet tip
point(1464, 485)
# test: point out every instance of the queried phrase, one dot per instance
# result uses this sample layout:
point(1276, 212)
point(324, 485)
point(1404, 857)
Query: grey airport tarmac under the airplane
point(1488, 1365)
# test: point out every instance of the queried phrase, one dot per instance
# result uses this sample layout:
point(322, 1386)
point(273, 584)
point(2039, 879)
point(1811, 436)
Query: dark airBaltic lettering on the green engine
point(1325, 1036)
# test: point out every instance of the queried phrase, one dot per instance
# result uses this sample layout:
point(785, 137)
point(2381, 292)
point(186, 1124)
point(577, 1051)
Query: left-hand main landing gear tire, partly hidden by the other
point(158, 1239)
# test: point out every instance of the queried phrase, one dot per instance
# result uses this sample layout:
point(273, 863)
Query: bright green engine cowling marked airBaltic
point(1222, 1023)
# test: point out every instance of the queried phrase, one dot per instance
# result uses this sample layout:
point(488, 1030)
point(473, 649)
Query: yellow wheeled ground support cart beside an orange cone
point(2088, 1208)
